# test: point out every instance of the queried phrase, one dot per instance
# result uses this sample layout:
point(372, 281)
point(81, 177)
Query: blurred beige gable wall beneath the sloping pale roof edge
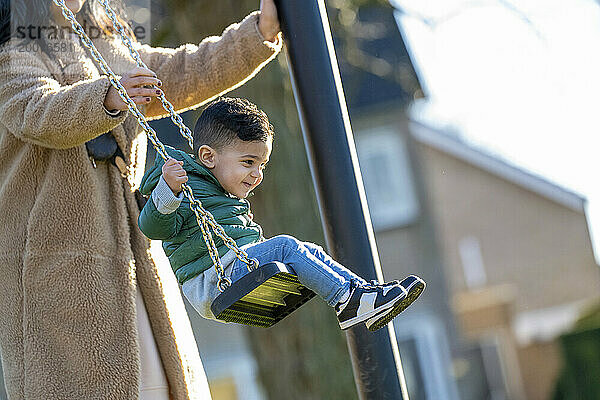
point(530, 232)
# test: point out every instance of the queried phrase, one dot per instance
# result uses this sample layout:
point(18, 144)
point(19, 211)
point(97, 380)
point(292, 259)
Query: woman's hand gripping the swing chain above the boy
point(134, 82)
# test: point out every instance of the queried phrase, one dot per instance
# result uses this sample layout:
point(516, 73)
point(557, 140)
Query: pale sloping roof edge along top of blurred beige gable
point(457, 147)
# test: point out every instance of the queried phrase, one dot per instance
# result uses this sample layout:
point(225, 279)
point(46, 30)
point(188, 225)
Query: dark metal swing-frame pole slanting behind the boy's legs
point(338, 183)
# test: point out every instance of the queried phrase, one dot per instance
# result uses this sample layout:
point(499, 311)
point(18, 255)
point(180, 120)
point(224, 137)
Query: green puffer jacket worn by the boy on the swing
point(182, 238)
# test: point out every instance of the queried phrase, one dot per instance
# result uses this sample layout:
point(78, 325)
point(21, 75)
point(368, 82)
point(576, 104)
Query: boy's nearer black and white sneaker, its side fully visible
point(369, 301)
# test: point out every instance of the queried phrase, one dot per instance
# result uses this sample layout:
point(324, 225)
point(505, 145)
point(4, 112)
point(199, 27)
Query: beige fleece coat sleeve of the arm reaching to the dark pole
point(194, 74)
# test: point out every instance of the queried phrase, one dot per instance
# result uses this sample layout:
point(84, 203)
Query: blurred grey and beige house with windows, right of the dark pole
point(513, 251)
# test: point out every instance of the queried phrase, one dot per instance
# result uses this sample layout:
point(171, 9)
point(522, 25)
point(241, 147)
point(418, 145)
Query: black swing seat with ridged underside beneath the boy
point(263, 297)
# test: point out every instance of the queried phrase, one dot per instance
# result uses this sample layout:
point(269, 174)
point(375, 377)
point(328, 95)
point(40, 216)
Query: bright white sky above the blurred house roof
point(517, 79)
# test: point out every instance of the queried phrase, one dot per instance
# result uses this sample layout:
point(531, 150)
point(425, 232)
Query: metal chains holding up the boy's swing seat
point(205, 219)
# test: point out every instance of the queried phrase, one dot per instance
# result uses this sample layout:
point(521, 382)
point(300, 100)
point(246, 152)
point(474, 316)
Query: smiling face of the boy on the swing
point(238, 166)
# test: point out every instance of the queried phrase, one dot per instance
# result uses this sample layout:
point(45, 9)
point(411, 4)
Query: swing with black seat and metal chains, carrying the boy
point(268, 293)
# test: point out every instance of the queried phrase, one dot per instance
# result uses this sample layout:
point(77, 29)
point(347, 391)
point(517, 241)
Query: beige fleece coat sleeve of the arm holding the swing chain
point(38, 109)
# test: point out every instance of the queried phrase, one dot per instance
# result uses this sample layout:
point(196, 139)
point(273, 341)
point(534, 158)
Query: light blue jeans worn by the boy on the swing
point(315, 269)
